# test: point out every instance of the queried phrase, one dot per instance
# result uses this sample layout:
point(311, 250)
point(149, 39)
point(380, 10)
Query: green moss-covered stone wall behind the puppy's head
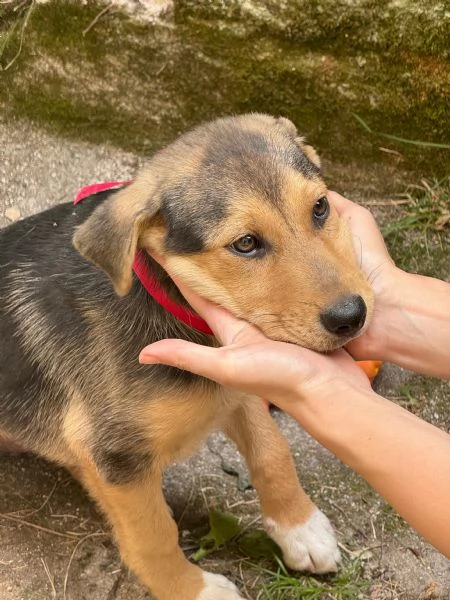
point(138, 86)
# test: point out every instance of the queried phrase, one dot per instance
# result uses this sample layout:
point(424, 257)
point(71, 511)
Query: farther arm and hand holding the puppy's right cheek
point(411, 321)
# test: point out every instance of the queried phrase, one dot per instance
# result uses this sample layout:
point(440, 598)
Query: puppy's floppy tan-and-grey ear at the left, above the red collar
point(110, 236)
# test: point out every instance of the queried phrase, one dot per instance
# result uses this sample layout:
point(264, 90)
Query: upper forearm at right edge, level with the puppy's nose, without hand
point(416, 324)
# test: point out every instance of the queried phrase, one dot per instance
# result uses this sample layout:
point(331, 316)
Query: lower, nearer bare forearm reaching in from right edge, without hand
point(404, 458)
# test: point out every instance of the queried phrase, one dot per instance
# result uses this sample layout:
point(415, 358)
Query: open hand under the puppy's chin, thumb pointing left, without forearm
point(249, 361)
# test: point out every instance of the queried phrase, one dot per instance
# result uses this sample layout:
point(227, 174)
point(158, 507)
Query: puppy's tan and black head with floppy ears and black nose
point(239, 210)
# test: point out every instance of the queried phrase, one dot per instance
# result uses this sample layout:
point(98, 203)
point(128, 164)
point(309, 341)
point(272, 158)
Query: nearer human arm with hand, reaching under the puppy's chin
point(404, 458)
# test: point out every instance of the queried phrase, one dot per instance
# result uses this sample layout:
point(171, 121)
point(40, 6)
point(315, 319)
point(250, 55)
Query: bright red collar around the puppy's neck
point(144, 273)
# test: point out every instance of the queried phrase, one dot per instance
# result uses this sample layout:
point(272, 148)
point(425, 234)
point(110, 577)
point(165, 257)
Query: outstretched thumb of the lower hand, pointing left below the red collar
point(200, 360)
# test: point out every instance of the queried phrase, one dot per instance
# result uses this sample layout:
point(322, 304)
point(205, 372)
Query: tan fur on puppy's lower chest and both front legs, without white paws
point(142, 523)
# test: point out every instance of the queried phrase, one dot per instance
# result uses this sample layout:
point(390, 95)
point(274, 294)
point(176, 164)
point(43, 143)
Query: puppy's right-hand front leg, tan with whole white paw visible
point(302, 531)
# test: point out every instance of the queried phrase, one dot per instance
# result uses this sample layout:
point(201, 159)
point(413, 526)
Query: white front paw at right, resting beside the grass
point(308, 547)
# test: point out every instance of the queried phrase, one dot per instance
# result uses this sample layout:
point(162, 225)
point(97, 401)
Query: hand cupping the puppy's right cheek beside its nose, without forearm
point(381, 273)
